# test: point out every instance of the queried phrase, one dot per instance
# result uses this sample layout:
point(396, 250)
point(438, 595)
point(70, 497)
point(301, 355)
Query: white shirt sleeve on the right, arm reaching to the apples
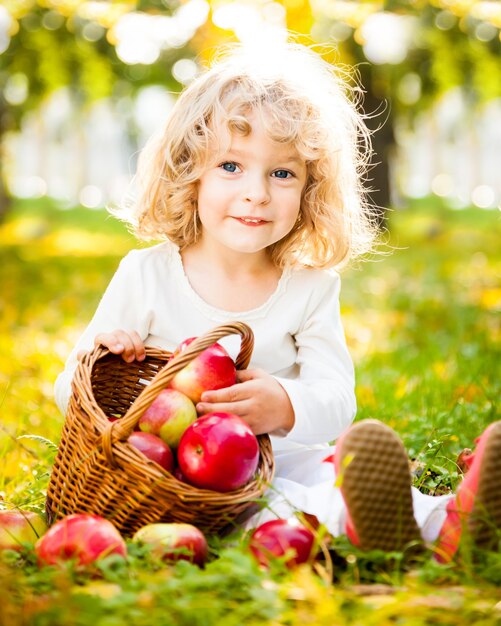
point(323, 395)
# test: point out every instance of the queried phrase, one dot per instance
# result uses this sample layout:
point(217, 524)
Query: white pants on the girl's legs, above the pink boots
point(303, 483)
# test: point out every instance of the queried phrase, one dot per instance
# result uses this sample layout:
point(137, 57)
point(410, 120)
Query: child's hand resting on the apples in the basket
point(257, 398)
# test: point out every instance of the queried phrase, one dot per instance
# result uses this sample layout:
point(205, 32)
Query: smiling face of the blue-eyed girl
point(251, 197)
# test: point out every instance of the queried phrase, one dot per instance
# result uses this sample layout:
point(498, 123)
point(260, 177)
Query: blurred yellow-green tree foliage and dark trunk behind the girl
point(408, 54)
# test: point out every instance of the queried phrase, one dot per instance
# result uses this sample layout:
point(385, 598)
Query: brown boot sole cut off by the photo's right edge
point(485, 519)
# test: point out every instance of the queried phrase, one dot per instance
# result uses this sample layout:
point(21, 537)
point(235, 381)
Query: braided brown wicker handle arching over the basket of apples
point(122, 428)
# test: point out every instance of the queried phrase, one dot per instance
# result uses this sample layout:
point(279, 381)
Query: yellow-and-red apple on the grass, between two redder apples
point(174, 542)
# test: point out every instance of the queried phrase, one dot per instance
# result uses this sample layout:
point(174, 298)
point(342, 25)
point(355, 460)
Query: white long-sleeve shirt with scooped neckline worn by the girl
point(298, 335)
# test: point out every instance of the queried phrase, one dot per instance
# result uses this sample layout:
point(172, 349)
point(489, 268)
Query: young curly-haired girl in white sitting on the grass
point(255, 186)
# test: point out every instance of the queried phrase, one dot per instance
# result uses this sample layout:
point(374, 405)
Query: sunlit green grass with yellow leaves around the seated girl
point(423, 325)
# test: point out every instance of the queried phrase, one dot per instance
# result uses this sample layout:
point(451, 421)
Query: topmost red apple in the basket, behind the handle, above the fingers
point(212, 369)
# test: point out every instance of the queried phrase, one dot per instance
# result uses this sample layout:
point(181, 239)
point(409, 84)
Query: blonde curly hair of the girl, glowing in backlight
point(306, 103)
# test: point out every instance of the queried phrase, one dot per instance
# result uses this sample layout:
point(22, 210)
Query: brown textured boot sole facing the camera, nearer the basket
point(376, 485)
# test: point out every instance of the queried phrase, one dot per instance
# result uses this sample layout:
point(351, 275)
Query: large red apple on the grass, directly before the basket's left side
point(82, 538)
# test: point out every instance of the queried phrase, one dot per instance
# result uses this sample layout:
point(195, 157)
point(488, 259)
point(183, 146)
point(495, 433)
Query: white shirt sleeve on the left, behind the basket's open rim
point(118, 309)
